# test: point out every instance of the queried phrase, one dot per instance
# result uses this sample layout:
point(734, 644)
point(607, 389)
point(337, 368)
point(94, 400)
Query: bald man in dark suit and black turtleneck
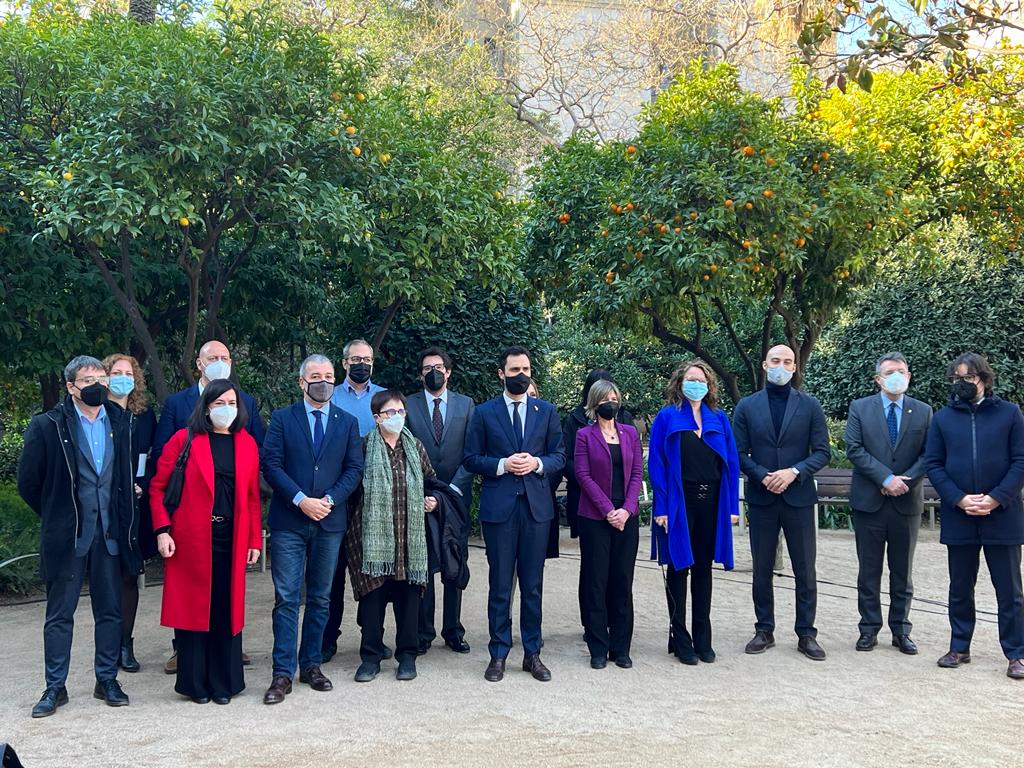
point(783, 441)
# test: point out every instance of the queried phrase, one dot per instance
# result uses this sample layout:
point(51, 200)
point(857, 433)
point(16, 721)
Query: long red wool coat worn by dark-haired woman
point(189, 573)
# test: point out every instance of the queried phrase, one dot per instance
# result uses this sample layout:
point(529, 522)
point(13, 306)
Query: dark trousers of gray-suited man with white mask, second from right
point(885, 533)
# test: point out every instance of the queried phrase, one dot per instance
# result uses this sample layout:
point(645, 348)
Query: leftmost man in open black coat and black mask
point(76, 474)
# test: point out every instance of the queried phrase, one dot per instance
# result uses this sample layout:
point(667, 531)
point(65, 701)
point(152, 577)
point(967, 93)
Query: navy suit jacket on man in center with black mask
point(490, 439)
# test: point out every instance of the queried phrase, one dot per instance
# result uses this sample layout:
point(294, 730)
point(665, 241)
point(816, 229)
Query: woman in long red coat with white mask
point(208, 542)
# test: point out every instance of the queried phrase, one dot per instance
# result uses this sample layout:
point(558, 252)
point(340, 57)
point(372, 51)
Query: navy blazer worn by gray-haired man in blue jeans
point(290, 466)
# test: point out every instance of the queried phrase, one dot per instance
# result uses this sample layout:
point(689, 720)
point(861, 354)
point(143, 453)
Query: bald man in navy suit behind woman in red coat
point(215, 362)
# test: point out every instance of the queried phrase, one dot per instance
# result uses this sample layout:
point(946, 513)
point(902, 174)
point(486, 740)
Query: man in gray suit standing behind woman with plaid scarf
point(439, 417)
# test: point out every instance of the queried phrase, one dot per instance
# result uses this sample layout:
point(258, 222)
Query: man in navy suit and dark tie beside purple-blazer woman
point(515, 442)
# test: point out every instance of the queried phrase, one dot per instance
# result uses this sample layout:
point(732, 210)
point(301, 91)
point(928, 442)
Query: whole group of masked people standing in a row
point(374, 485)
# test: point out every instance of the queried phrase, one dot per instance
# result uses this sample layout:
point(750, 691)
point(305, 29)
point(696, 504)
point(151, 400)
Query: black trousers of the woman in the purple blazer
point(608, 559)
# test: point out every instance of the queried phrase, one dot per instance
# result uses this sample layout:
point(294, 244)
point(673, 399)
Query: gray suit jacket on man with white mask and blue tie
point(875, 458)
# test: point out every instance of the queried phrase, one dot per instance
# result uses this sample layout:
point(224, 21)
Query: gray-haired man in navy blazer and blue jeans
point(313, 458)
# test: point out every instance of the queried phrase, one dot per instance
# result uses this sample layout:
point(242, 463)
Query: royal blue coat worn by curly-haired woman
point(665, 467)
